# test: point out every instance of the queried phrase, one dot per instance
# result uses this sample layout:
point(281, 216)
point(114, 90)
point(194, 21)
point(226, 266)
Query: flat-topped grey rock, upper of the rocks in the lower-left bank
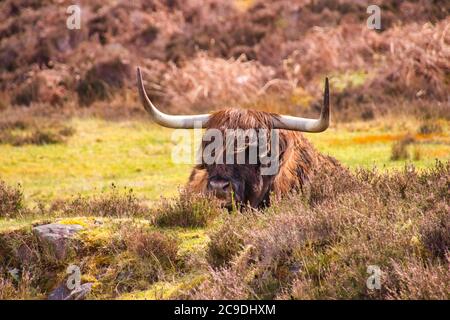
point(57, 235)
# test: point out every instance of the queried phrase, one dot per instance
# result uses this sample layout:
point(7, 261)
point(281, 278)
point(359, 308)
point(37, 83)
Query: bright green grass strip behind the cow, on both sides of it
point(137, 155)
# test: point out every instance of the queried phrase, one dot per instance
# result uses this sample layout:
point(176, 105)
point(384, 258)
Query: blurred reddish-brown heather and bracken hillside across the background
point(215, 54)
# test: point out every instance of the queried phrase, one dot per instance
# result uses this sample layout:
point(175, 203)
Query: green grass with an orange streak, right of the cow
point(369, 144)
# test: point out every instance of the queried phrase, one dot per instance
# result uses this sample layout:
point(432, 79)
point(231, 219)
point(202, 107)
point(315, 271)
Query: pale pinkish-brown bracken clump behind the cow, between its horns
point(206, 83)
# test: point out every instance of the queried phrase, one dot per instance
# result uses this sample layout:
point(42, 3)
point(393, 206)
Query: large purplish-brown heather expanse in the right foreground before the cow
point(321, 250)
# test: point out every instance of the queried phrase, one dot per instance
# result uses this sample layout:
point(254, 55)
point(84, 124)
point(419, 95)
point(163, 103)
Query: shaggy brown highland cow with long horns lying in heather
point(298, 160)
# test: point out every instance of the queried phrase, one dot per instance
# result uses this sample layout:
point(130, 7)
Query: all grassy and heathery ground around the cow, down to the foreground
point(130, 251)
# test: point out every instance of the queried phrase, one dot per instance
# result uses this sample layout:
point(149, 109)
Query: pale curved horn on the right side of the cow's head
point(305, 124)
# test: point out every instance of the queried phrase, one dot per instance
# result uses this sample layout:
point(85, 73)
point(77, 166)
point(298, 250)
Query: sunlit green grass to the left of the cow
point(128, 154)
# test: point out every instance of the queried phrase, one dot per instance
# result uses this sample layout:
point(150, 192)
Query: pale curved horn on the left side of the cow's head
point(166, 120)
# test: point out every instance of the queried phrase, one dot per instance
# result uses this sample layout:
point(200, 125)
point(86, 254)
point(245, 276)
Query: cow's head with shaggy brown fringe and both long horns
point(241, 177)
